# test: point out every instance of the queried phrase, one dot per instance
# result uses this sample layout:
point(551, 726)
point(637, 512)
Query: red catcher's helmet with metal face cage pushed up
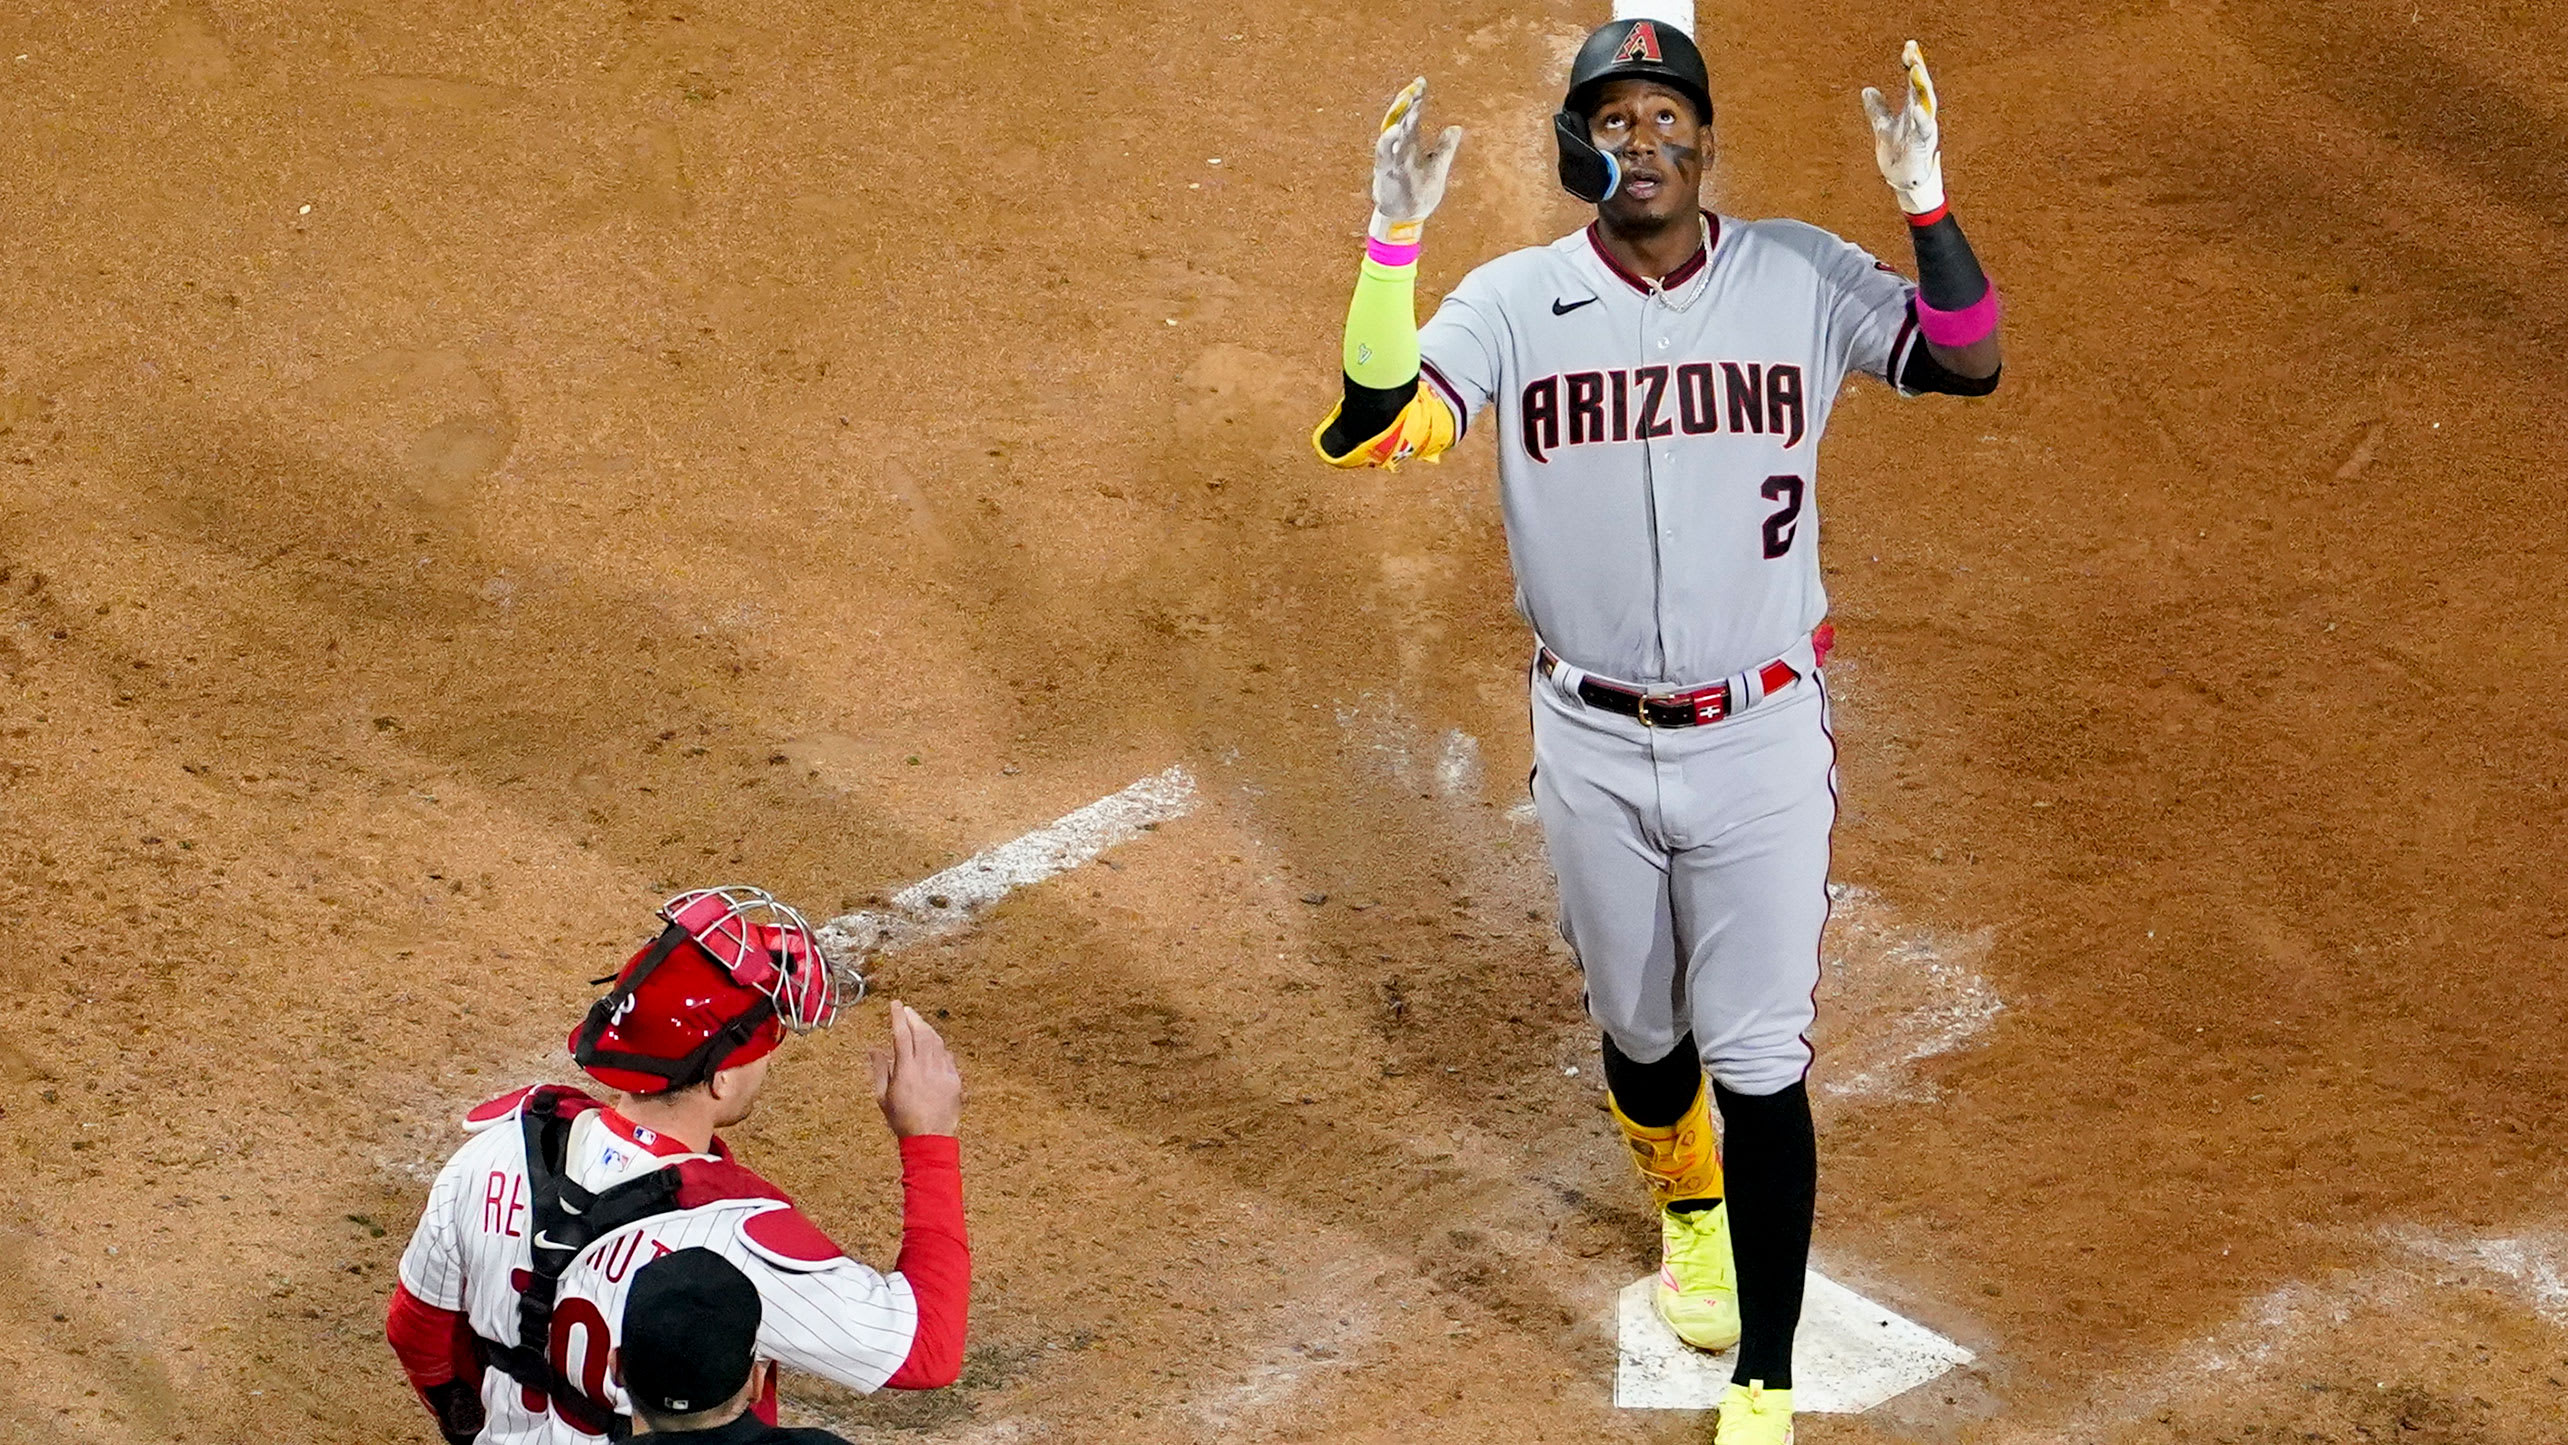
point(718, 989)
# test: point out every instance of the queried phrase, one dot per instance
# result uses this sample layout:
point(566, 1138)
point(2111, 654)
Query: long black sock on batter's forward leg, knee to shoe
point(1771, 1156)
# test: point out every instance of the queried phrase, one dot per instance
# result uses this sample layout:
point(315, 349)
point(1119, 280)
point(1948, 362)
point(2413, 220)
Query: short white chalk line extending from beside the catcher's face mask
point(946, 902)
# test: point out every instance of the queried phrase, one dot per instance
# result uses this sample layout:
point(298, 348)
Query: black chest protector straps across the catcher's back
point(569, 1220)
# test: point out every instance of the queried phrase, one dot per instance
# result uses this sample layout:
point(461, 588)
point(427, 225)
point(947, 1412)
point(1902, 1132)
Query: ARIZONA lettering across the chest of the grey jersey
point(1691, 399)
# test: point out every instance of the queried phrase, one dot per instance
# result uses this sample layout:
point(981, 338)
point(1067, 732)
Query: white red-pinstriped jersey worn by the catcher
point(823, 1313)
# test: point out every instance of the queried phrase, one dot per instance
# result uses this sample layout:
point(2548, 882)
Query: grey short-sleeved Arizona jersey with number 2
point(1658, 453)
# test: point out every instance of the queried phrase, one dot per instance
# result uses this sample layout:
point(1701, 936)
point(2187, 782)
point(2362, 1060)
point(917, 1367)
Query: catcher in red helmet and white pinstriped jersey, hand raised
point(515, 1282)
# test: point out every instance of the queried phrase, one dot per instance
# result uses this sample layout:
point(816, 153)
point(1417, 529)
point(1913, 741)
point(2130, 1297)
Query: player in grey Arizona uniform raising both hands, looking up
point(1663, 379)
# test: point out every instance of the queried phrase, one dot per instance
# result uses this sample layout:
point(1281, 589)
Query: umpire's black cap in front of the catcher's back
point(690, 1333)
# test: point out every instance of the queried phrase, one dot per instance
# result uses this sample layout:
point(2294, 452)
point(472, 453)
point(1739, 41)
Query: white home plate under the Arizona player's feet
point(1848, 1359)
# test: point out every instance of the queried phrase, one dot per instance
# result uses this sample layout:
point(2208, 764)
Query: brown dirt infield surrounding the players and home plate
point(471, 468)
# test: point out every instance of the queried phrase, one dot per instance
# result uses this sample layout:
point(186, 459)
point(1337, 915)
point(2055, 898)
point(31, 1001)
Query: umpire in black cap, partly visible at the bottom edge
point(690, 1356)
